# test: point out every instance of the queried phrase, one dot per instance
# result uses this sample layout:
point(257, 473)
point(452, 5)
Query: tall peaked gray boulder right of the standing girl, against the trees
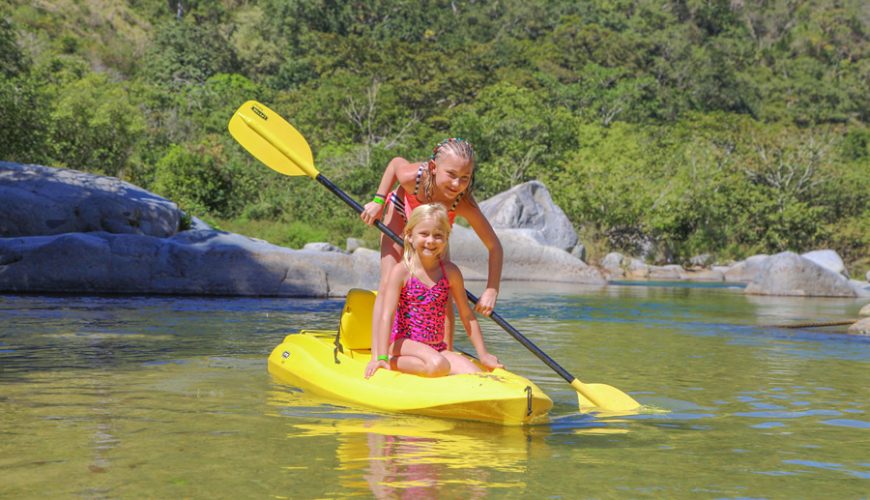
point(529, 206)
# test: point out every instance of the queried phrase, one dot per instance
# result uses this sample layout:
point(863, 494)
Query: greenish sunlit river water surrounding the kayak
point(169, 397)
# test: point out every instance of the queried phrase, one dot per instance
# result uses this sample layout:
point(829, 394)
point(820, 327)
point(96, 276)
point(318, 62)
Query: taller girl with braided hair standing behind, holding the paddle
point(445, 178)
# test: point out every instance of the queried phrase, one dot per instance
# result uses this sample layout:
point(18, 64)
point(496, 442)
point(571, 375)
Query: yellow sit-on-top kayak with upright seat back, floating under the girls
point(332, 364)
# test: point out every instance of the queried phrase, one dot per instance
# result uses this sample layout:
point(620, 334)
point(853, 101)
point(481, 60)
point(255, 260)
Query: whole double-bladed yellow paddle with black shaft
point(273, 141)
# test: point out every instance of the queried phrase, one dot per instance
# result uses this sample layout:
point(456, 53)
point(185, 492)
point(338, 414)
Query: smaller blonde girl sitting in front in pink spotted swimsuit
point(415, 304)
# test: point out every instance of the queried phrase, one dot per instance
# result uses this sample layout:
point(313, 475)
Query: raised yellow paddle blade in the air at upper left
point(273, 141)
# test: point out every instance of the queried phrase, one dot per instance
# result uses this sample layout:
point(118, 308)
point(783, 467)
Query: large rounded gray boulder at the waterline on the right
point(790, 274)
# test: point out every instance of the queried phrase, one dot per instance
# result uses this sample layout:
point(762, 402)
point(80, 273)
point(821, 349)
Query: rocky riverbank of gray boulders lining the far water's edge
point(63, 231)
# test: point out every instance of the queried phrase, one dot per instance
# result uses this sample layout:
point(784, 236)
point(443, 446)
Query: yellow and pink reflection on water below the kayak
point(424, 458)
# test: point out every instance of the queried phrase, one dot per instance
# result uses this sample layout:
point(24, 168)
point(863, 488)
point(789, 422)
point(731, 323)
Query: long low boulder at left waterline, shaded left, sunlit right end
point(190, 263)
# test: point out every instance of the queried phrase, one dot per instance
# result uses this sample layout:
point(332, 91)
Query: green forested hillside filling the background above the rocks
point(685, 127)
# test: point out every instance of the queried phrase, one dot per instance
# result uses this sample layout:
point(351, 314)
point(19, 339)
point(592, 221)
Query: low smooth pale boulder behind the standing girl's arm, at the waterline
point(525, 258)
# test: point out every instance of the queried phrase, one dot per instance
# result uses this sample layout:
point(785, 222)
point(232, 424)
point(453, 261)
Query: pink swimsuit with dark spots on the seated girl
point(421, 312)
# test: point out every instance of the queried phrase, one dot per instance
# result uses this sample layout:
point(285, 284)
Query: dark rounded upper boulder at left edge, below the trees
point(38, 201)
